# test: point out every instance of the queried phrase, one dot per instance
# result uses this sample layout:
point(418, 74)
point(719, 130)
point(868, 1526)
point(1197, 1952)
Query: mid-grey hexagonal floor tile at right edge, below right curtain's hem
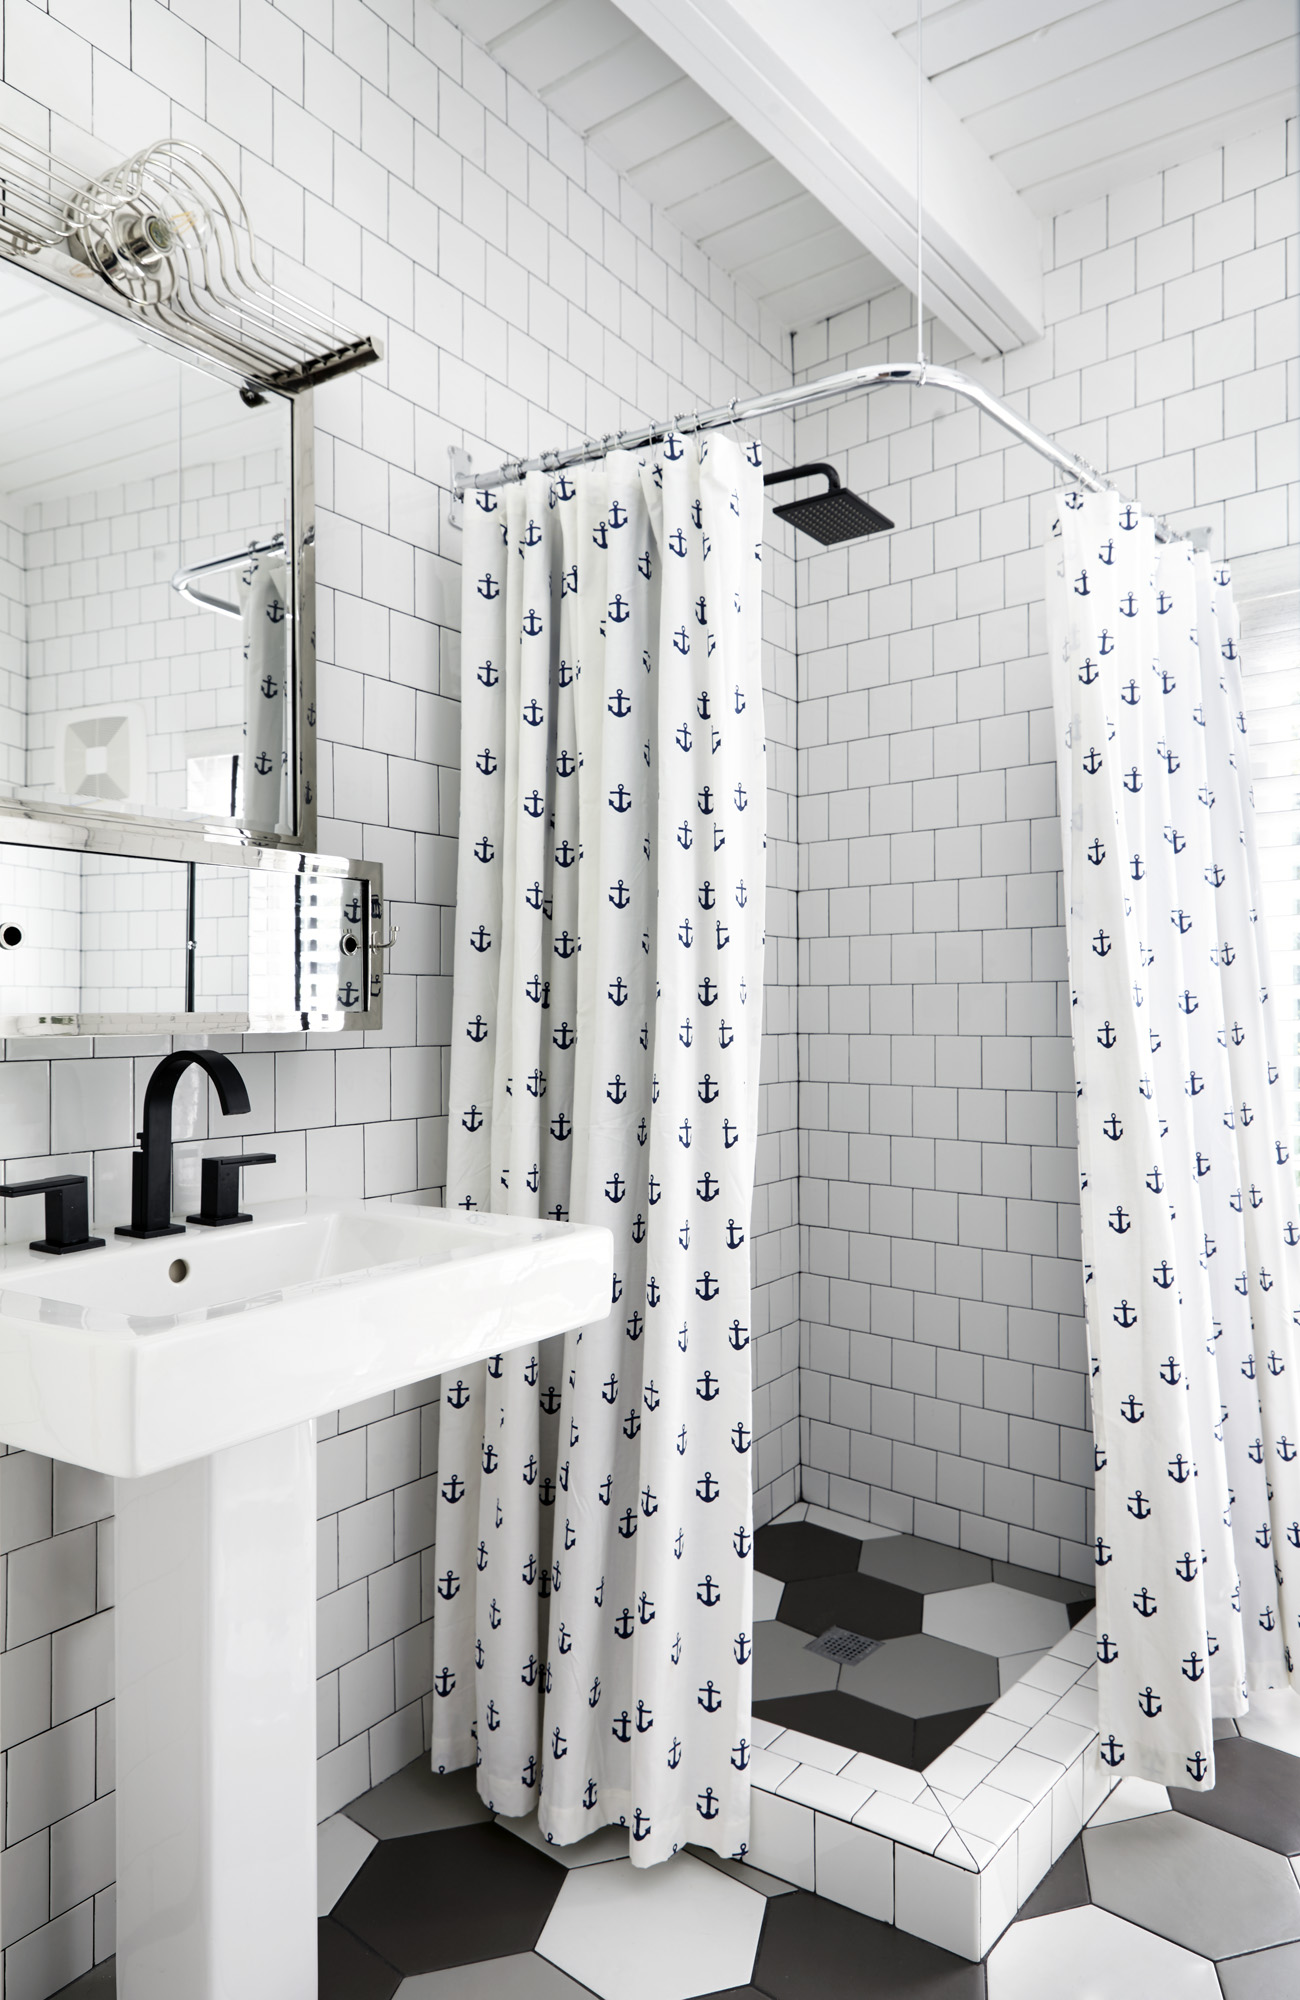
point(1195, 1885)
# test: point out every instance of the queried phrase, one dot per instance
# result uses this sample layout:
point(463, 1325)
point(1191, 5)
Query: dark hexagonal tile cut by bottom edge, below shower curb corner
point(817, 1951)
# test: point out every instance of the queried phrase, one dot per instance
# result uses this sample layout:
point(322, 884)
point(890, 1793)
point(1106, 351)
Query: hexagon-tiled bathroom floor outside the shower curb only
point(431, 1901)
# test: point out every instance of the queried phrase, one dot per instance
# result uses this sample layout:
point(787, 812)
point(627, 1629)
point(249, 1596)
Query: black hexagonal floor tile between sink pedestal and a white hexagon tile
point(449, 1899)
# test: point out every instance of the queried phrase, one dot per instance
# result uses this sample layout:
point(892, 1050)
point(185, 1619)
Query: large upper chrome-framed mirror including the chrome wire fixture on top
point(157, 505)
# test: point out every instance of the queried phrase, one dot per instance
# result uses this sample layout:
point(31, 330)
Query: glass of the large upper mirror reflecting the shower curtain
point(145, 595)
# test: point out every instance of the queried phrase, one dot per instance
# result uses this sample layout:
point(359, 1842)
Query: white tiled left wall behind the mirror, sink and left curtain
point(403, 179)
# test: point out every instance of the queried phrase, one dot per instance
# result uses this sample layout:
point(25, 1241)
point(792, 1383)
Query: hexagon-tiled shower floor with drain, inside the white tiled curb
point(955, 1631)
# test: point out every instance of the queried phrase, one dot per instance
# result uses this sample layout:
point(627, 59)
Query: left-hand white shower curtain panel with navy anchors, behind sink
point(593, 1623)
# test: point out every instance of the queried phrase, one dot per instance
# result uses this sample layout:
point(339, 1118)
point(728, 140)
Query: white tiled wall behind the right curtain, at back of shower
point(943, 1383)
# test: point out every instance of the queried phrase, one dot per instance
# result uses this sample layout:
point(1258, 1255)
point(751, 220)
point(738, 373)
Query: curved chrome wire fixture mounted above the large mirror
point(169, 235)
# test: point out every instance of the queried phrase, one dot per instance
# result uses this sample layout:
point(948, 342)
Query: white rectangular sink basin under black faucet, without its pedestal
point(109, 1361)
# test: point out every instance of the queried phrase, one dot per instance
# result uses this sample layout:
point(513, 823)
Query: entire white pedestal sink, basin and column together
point(191, 1369)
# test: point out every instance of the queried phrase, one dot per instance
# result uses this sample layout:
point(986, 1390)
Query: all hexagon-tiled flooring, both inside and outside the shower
point(427, 1897)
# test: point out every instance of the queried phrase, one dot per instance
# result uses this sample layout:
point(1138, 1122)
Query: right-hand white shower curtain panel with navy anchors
point(1189, 1191)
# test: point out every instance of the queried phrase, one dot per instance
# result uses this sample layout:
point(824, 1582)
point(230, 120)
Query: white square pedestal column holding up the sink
point(217, 1727)
